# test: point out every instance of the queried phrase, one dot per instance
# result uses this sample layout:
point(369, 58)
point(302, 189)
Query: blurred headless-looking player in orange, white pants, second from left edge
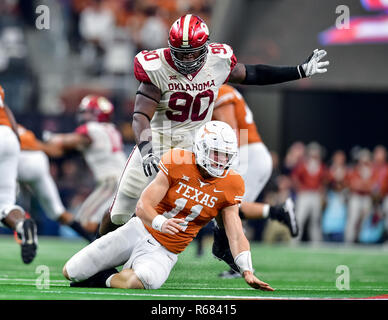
point(34, 173)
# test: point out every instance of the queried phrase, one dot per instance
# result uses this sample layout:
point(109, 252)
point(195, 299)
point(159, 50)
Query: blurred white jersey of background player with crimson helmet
point(104, 156)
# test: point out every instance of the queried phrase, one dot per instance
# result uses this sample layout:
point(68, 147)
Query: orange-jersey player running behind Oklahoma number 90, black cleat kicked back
point(255, 166)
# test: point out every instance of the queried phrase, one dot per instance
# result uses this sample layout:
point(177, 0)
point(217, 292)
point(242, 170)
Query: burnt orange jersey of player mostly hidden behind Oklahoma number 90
point(229, 95)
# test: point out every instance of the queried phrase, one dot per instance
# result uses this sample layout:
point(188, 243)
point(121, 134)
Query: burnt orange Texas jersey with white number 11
point(192, 198)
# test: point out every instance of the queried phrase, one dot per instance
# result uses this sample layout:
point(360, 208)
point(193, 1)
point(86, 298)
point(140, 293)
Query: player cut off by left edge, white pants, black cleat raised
point(11, 215)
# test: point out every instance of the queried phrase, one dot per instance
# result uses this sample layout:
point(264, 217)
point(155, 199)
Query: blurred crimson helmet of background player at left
point(95, 108)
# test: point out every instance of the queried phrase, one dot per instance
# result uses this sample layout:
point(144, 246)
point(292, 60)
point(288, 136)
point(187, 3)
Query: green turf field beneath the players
point(296, 272)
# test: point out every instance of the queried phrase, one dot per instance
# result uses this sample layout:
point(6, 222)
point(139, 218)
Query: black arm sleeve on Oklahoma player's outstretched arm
point(264, 74)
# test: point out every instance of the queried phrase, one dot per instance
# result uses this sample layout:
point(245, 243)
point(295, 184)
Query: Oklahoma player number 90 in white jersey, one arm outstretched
point(178, 87)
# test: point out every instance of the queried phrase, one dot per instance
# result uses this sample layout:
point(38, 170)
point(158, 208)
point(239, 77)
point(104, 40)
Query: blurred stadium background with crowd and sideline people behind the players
point(336, 171)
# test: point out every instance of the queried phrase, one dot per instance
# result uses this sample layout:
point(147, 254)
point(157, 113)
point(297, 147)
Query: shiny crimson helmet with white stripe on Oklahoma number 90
point(188, 36)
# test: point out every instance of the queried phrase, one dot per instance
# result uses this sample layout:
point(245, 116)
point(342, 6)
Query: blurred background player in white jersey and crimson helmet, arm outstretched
point(101, 145)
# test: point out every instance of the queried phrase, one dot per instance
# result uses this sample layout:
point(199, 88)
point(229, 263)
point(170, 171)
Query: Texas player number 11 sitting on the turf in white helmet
point(190, 189)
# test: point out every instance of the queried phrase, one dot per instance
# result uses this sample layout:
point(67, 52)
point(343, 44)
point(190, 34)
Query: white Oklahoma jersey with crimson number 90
point(187, 101)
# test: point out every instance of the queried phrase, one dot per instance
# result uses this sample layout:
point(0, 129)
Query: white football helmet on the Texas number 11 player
point(216, 148)
